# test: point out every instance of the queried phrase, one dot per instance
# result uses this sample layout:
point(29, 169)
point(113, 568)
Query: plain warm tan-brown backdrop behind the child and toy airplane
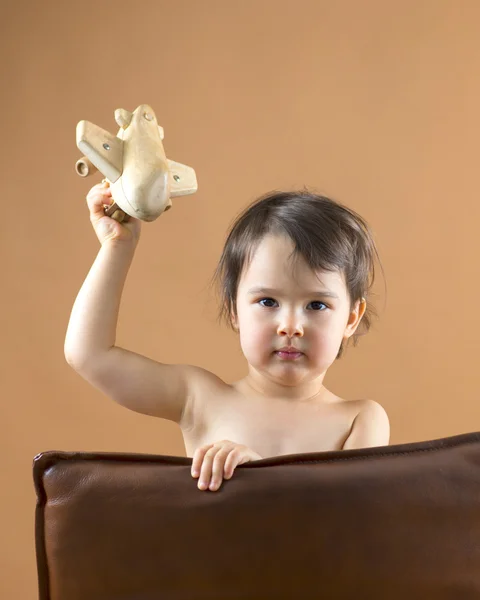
point(374, 102)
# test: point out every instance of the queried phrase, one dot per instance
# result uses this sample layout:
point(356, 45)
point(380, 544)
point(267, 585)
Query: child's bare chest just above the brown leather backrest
point(270, 427)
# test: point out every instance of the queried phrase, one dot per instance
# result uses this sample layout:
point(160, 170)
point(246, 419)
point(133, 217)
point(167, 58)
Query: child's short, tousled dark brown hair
point(327, 234)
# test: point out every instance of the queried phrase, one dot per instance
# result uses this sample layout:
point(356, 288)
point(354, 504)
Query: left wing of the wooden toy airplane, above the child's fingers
point(104, 150)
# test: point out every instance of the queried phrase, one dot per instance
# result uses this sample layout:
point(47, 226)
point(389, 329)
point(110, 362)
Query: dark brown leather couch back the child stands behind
point(389, 523)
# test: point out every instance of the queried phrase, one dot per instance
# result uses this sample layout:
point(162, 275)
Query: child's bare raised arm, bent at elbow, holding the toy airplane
point(136, 382)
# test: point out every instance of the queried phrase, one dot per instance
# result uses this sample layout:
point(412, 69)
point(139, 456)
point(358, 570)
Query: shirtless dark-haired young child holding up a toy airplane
point(295, 273)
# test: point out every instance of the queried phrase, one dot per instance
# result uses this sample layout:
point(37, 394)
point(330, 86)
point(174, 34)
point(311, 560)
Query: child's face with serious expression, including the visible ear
point(291, 314)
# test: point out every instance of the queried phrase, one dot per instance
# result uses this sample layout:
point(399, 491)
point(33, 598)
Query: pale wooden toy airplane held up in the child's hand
point(143, 180)
